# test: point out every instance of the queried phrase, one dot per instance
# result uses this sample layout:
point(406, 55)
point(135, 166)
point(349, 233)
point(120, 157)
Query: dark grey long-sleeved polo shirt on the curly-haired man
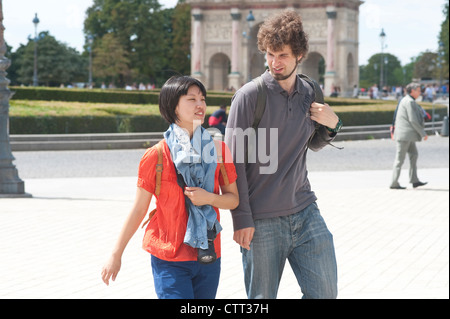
point(275, 183)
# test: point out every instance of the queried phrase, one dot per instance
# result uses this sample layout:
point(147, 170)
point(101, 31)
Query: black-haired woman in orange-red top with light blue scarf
point(186, 222)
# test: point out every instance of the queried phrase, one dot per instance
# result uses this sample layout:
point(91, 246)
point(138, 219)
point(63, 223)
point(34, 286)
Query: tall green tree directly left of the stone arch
point(141, 28)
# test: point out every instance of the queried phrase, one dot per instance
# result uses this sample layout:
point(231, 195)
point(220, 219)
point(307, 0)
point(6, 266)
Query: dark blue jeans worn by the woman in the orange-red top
point(185, 279)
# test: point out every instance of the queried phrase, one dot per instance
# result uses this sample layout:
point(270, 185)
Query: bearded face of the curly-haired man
point(282, 64)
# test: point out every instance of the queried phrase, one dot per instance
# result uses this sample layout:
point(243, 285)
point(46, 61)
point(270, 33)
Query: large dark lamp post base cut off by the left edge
point(10, 183)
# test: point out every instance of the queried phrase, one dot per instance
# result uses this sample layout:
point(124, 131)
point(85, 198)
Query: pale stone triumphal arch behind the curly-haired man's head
point(224, 54)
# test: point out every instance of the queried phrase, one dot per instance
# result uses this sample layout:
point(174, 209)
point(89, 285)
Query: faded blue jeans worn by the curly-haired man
point(303, 239)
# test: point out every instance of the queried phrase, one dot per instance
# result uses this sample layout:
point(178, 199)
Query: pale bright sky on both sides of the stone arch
point(411, 26)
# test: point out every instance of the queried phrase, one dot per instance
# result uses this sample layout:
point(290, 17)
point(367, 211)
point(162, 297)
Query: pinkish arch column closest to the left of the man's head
point(234, 78)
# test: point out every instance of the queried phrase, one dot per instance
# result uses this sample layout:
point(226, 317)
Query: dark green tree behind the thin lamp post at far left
point(56, 62)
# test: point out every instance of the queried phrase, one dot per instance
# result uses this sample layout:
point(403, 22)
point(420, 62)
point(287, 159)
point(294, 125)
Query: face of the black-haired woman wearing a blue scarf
point(191, 109)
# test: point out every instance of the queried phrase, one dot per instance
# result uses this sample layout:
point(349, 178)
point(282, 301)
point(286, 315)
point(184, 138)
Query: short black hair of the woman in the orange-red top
point(170, 94)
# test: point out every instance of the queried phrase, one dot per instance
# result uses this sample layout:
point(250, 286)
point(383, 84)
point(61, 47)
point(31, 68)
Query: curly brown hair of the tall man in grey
point(282, 29)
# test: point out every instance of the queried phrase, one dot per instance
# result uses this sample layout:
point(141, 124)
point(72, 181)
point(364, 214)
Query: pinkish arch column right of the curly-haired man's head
point(330, 73)
